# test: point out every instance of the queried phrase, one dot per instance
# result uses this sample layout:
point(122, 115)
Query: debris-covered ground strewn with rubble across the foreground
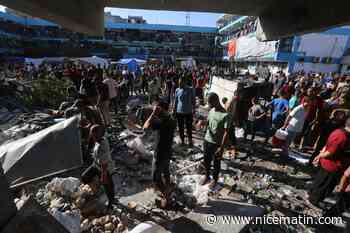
point(255, 175)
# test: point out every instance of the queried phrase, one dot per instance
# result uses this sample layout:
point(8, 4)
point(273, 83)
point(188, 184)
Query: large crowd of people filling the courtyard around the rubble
point(310, 111)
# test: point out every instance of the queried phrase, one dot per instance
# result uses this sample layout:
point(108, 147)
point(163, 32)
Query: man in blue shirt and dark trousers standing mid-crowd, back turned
point(184, 108)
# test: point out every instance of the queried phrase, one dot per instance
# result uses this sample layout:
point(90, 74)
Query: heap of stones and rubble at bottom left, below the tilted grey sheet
point(78, 208)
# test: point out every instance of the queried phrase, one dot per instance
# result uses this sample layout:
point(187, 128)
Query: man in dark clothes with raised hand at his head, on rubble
point(161, 121)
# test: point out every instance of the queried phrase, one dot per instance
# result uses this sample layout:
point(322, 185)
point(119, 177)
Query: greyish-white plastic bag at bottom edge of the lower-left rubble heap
point(70, 221)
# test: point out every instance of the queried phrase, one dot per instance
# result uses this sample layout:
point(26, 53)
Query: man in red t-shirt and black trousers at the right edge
point(333, 160)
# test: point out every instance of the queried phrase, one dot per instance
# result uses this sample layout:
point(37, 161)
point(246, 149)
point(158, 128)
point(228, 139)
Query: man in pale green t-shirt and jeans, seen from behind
point(215, 138)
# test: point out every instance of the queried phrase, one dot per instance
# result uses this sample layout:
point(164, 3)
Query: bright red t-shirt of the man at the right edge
point(336, 144)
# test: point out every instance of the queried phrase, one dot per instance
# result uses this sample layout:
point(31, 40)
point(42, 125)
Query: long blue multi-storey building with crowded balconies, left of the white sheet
point(123, 38)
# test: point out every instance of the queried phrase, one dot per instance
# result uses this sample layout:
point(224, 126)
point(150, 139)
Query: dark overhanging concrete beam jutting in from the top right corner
point(300, 17)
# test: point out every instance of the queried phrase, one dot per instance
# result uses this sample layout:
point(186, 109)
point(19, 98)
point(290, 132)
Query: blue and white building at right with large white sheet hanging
point(314, 52)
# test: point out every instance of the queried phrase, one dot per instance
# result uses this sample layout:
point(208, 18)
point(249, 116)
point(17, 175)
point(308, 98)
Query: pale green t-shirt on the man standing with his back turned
point(217, 123)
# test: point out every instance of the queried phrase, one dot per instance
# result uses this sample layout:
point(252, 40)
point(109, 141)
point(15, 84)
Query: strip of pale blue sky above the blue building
point(165, 17)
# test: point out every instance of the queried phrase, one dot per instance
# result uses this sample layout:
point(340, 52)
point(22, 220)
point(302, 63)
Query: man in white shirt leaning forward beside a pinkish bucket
point(295, 121)
